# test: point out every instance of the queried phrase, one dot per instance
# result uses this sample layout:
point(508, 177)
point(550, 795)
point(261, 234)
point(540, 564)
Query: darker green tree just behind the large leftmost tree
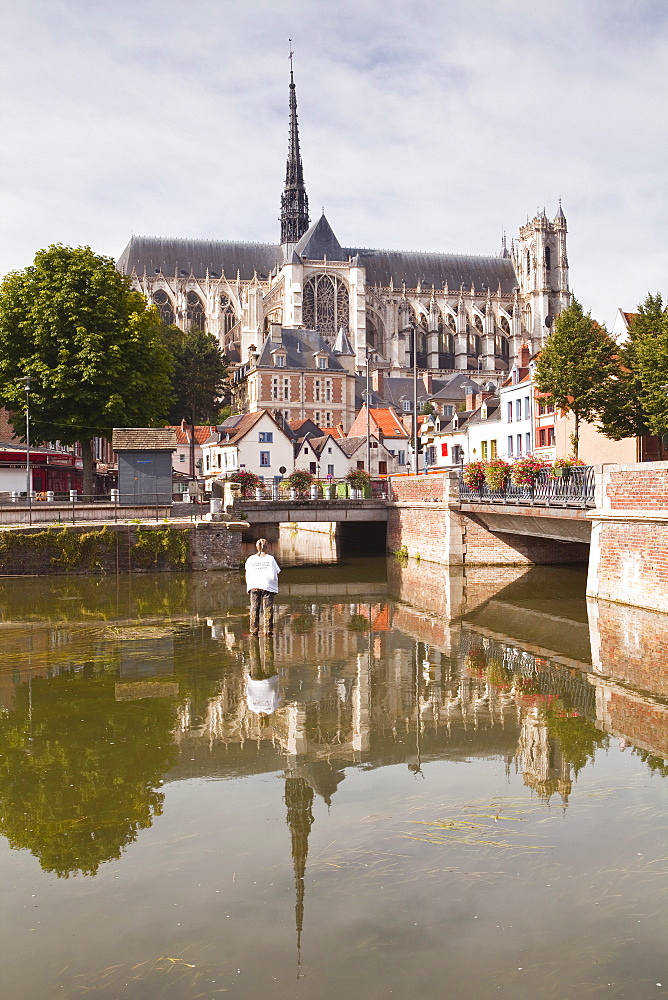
point(200, 378)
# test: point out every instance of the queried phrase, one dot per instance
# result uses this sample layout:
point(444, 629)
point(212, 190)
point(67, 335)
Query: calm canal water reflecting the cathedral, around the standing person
point(428, 784)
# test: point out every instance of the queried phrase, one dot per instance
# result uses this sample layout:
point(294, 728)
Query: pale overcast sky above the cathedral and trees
point(424, 126)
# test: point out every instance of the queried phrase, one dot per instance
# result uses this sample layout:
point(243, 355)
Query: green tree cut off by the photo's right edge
point(625, 411)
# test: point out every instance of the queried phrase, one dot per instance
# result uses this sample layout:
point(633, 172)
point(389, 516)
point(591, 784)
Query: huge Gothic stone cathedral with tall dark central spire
point(469, 312)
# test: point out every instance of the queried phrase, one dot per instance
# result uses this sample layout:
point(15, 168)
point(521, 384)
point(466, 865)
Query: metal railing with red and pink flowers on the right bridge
point(575, 488)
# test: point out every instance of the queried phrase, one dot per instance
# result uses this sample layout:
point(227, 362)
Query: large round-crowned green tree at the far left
point(91, 346)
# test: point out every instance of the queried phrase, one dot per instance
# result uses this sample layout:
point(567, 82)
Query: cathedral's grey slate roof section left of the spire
point(181, 257)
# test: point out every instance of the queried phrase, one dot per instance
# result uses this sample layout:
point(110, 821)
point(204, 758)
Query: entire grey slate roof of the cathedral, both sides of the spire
point(183, 257)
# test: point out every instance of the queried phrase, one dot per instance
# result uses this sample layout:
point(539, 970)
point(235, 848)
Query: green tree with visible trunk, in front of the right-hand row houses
point(576, 366)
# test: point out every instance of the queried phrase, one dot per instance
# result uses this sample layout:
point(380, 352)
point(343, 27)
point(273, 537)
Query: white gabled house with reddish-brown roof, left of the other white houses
point(253, 442)
